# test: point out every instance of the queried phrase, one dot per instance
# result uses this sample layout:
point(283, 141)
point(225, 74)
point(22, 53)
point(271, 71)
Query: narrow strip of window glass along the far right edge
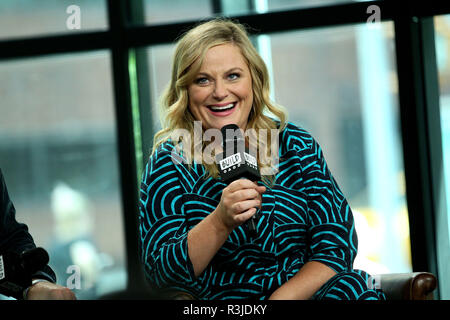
point(442, 39)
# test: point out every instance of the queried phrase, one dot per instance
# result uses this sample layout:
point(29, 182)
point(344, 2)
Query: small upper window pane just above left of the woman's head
point(162, 11)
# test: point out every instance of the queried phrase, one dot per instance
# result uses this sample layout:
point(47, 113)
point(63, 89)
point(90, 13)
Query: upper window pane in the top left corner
point(23, 18)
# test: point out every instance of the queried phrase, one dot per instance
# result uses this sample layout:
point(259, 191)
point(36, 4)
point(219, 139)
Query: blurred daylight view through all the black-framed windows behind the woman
point(59, 141)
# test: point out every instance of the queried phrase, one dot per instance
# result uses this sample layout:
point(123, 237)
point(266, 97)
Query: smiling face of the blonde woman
point(221, 92)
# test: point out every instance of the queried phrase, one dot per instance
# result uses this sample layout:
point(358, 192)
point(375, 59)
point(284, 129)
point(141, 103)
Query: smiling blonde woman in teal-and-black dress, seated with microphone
point(192, 225)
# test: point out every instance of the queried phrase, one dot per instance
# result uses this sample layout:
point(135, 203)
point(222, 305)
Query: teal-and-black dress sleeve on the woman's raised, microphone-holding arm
point(162, 224)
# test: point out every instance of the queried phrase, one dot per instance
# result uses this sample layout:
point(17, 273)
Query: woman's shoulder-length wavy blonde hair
point(189, 54)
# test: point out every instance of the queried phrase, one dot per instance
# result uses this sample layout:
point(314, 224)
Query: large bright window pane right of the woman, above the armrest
point(340, 84)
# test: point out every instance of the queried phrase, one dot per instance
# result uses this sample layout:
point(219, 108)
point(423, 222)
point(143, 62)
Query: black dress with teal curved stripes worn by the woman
point(304, 217)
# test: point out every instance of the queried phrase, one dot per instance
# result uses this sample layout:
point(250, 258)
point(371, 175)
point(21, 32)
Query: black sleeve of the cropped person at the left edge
point(14, 236)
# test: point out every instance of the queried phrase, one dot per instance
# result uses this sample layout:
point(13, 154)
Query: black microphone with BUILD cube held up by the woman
point(236, 162)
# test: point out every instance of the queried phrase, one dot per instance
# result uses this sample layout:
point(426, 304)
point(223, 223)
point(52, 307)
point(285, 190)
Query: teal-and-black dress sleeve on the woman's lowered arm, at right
point(333, 239)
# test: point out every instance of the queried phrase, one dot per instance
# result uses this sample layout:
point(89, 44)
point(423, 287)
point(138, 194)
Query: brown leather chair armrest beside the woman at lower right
point(408, 286)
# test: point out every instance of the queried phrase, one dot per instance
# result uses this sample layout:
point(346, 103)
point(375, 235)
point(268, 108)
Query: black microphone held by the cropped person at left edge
point(16, 270)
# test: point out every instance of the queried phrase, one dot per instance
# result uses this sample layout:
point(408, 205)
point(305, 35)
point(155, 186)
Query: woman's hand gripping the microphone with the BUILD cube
point(239, 202)
